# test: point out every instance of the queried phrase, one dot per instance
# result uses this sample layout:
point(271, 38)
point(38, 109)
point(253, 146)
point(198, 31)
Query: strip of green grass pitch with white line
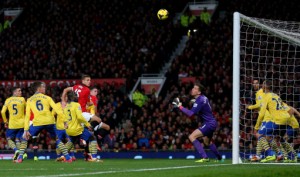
point(145, 168)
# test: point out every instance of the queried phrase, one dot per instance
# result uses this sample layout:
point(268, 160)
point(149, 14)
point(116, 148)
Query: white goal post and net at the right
point(263, 49)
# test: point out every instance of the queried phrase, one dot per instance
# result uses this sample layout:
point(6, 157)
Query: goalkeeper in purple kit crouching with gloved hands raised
point(202, 108)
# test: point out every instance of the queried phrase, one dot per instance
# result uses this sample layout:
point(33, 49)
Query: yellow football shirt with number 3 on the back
point(74, 117)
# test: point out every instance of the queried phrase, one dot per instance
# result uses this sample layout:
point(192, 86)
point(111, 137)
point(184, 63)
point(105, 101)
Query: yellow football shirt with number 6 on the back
point(40, 105)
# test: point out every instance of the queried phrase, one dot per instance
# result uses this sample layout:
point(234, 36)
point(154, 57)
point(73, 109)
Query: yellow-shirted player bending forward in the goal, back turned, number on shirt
point(280, 117)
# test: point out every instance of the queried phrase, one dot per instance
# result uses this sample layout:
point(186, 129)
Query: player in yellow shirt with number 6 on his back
point(40, 105)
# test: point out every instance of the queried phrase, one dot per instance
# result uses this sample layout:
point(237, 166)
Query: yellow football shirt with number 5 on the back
point(16, 108)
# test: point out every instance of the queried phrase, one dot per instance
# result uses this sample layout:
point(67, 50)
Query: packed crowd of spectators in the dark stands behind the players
point(61, 39)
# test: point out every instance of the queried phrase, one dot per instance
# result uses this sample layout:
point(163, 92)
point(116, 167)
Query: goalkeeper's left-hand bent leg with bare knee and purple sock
point(193, 138)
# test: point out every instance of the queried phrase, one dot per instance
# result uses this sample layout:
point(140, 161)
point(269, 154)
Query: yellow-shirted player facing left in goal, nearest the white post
point(262, 143)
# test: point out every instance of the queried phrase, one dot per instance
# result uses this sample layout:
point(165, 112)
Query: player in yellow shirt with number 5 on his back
point(16, 107)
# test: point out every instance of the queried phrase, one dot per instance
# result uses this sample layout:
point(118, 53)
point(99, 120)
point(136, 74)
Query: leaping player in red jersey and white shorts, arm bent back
point(83, 93)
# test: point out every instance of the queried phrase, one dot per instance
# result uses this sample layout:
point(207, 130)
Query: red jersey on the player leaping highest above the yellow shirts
point(83, 94)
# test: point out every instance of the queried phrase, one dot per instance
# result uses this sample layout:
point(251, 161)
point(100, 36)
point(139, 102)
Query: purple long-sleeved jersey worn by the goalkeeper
point(202, 108)
